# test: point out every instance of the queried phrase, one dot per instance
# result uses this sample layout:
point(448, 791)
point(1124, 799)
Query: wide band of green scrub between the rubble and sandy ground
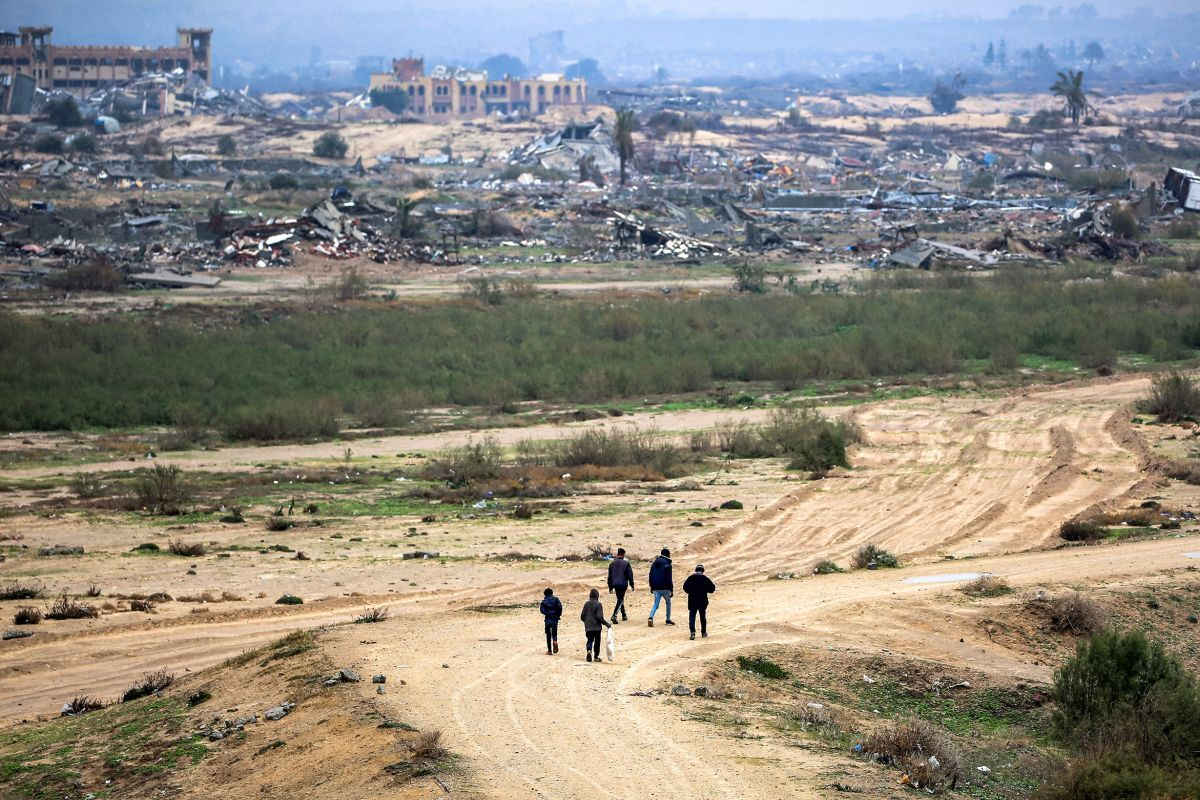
point(262, 370)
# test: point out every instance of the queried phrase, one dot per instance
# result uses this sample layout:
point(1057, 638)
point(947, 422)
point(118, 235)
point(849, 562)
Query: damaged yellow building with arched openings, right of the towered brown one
point(457, 94)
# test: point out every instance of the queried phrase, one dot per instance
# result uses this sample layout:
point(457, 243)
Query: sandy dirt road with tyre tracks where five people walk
point(986, 480)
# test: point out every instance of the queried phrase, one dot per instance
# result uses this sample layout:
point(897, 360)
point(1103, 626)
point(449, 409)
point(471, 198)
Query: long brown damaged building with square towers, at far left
point(31, 61)
